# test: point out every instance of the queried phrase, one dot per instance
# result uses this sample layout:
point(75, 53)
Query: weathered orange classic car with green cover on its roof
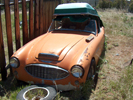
point(67, 54)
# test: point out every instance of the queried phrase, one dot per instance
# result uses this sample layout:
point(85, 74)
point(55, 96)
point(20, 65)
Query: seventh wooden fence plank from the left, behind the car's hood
point(41, 17)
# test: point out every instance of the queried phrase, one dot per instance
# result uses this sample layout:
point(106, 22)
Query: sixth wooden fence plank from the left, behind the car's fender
point(36, 19)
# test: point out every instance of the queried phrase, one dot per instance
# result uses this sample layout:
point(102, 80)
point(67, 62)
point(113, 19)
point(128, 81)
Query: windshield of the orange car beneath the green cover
point(67, 23)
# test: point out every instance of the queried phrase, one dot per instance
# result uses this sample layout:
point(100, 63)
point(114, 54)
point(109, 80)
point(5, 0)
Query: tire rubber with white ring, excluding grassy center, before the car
point(51, 93)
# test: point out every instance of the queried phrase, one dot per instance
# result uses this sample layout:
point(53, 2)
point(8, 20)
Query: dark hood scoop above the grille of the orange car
point(47, 56)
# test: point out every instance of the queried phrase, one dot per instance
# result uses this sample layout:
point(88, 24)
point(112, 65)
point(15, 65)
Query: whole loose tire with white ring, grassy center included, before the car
point(36, 92)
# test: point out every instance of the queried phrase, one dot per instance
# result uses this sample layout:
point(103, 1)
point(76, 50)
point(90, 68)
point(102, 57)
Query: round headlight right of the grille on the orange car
point(77, 71)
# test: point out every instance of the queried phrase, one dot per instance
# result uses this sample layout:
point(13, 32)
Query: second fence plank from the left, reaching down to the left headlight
point(8, 29)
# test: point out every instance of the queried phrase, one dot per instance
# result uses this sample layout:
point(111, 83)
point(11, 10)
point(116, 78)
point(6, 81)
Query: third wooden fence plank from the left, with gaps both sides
point(17, 28)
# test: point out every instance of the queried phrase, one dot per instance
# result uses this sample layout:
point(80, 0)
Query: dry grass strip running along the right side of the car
point(113, 82)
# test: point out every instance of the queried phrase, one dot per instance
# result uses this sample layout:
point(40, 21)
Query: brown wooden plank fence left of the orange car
point(40, 17)
